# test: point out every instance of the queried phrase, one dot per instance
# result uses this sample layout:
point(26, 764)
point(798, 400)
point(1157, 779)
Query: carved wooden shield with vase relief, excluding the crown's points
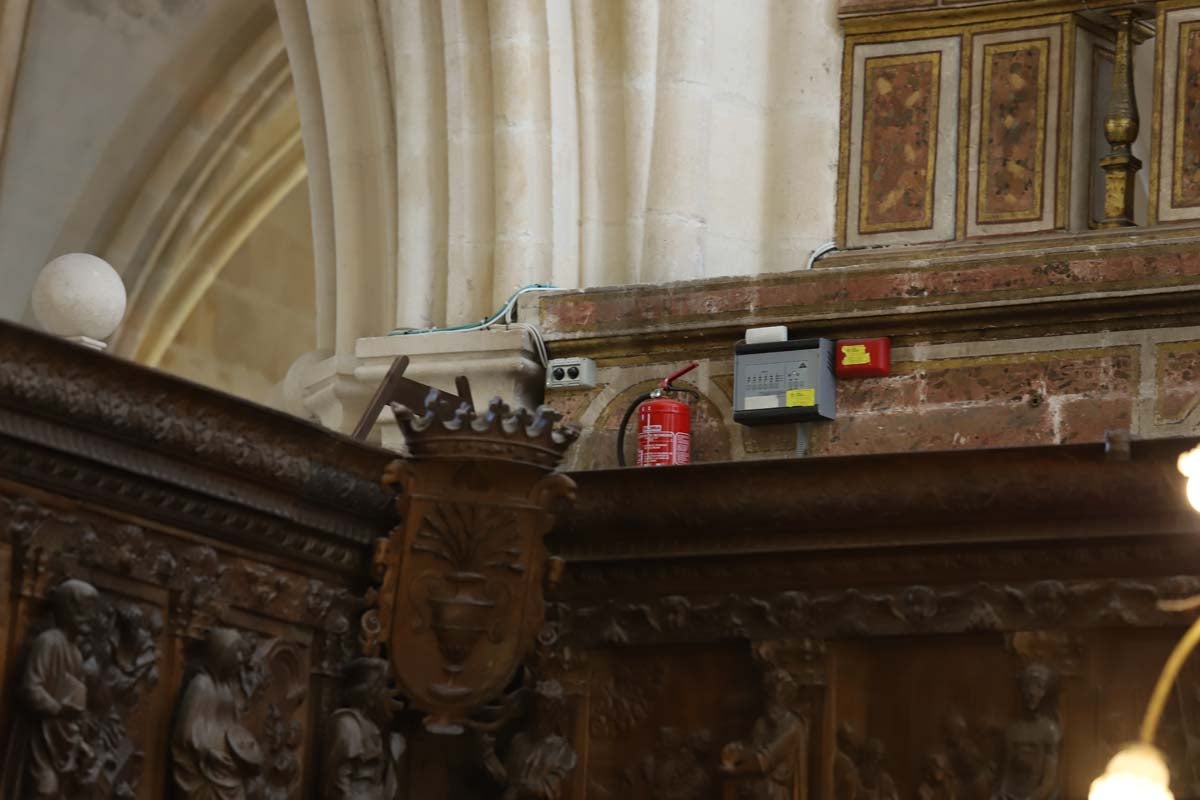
point(463, 600)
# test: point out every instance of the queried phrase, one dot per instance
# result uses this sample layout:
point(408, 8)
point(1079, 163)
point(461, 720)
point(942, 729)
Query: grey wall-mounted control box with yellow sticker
point(784, 382)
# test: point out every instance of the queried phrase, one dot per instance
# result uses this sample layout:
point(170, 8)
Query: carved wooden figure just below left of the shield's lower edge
point(363, 759)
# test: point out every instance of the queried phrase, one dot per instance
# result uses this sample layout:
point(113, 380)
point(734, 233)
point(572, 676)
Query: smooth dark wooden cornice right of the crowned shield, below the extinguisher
point(862, 506)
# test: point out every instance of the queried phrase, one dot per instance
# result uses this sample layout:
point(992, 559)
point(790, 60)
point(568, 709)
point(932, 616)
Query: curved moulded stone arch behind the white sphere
point(227, 169)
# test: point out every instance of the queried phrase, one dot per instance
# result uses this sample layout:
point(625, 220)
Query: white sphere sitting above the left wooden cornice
point(80, 297)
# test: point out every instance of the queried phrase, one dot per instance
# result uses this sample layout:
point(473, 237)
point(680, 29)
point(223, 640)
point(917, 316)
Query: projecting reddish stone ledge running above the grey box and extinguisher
point(1034, 288)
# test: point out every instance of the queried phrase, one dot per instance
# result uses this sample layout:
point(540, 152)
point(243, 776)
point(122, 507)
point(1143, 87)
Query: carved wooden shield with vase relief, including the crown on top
point(460, 600)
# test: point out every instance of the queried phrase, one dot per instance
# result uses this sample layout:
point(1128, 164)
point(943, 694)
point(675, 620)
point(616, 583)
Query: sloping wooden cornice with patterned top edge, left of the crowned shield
point(103, 408)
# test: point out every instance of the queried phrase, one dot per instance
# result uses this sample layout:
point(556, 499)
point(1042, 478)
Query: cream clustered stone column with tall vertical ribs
point(464, 149)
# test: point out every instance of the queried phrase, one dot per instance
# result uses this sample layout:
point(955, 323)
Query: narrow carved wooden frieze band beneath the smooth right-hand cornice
point(895, 611)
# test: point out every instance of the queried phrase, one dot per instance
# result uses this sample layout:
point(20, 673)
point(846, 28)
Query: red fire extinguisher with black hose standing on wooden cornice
point(664, 425)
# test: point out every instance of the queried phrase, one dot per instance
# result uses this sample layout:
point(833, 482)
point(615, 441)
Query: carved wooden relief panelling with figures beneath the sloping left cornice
point(113, 618)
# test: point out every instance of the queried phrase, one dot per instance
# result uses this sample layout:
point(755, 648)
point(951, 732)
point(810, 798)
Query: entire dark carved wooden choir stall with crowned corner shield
point(206, 599)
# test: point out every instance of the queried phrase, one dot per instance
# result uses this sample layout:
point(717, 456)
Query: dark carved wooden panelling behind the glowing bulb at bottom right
point(977, 718)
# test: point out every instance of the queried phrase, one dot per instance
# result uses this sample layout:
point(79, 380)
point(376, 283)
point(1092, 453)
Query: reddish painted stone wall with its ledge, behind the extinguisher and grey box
point(993, 346)
